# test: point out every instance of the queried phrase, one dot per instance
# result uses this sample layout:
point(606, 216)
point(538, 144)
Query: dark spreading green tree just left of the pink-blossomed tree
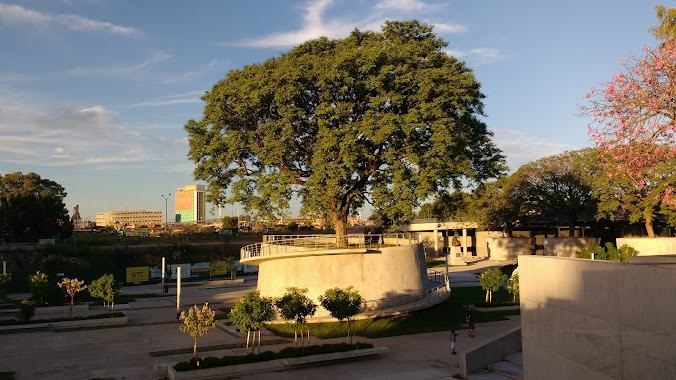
point(558, 187)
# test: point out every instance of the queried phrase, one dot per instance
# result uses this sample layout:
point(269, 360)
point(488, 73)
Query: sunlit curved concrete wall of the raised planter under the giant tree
point(388, 273)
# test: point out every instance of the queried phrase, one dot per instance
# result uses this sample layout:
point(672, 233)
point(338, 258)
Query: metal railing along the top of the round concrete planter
point(286, 244)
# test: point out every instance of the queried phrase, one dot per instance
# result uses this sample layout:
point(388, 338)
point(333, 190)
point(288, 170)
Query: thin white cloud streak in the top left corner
point(12, 14)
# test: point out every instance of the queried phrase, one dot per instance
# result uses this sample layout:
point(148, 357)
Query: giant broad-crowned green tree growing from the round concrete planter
point(387, 118)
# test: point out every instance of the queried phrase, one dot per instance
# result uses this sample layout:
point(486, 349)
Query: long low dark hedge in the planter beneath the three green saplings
point(288, 352)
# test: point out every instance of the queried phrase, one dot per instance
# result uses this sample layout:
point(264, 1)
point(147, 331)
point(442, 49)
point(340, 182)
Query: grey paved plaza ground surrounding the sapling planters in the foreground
point(123, 353)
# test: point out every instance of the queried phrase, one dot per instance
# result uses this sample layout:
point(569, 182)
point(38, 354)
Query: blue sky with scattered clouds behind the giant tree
point(94, 94)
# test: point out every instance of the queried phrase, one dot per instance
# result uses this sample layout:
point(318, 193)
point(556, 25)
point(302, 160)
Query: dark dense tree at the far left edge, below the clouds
point(32, 208)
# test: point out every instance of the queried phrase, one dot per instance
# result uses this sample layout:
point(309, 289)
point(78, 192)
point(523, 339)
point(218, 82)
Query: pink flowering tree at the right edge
point(633, 127)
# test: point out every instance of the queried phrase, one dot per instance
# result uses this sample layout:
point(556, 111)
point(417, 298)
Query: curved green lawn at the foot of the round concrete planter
point(445, 316)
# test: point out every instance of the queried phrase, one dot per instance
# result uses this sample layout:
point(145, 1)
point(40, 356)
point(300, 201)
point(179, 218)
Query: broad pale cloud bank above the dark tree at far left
point(69, 135)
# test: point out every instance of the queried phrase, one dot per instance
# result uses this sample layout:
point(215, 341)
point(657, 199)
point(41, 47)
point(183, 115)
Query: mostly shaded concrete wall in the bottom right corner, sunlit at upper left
point(584, 319)
